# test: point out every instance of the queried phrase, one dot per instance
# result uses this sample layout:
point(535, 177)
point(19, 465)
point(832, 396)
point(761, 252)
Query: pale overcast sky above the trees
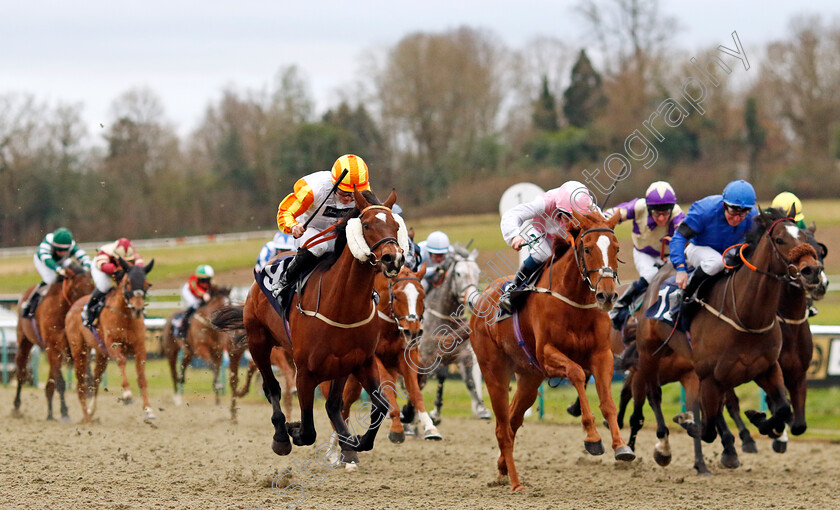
point(187, 51)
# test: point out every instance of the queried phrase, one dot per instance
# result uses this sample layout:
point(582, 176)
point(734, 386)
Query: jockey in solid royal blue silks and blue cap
point(712, 225)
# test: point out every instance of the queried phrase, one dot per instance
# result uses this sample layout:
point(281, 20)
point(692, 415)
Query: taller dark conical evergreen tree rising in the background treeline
point(585, 96)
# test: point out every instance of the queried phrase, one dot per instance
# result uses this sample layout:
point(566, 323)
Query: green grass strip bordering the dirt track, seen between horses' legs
point(822, 411)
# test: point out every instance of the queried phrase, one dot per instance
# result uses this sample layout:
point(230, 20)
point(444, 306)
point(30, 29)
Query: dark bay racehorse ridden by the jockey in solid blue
point(732, 343)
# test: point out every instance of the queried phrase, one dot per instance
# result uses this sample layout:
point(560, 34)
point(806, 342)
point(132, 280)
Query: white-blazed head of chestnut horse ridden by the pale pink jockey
point(596, 253)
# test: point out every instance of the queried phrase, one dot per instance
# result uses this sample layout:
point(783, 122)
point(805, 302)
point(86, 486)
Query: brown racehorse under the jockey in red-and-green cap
point(201, 339)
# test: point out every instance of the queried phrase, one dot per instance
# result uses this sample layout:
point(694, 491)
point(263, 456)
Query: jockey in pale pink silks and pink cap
point(551, 217)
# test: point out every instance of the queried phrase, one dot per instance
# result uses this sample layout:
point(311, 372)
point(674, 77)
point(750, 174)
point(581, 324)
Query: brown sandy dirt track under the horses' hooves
point(193, 457)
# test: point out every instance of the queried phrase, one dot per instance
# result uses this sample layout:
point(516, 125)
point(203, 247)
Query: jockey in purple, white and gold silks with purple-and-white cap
point(654, 217)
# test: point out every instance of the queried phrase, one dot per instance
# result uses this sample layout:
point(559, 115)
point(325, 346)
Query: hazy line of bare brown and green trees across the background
point(449, 119)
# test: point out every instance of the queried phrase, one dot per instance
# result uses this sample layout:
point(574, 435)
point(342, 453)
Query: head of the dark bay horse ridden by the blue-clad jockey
point(793, 255)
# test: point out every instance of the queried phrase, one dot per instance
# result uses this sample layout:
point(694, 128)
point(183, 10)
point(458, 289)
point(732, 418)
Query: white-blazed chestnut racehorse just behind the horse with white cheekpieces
point(400, 318)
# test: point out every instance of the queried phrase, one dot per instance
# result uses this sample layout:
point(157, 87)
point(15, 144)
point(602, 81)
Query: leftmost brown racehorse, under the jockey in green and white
point(46, 330)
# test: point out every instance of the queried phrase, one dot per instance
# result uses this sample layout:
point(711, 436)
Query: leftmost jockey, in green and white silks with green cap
point(54, 254)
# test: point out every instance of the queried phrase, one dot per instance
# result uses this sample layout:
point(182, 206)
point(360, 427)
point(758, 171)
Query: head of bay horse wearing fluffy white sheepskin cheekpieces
point(378, 236)
